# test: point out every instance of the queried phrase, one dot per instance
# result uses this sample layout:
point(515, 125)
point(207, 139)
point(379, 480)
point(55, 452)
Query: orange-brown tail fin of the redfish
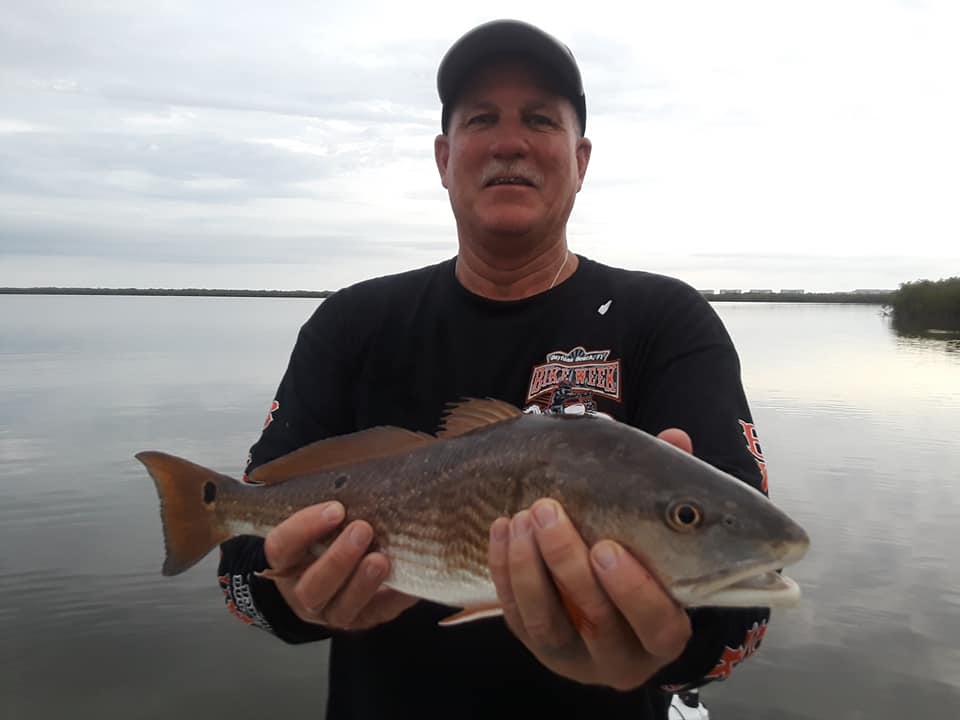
point(188, 502)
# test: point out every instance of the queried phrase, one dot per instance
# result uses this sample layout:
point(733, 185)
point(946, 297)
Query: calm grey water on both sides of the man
point(858, 426)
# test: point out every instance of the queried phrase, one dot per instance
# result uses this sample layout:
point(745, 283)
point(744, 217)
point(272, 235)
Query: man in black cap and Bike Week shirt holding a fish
point(517, 316)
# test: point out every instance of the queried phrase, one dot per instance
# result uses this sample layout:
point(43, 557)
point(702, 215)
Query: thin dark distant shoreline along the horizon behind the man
point(858, 298)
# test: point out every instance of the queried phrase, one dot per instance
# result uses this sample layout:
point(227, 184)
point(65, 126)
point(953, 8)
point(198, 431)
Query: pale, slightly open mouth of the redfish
point(746, 585)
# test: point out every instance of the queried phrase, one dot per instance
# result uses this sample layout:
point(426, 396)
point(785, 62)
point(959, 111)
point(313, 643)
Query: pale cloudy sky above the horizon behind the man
point(289, 145)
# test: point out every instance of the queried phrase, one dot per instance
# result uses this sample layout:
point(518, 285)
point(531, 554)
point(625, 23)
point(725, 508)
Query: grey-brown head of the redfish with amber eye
point(708, 537)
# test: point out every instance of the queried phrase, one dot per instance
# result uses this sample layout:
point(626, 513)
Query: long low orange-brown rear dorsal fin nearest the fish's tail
point(334, 452)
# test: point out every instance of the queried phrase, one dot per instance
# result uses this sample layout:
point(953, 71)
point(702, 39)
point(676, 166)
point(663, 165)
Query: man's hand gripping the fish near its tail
point(342, 588)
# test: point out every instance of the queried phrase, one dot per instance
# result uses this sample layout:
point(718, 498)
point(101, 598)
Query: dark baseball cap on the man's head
point(511, 38)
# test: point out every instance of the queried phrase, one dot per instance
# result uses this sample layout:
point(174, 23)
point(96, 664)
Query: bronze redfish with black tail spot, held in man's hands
point(708, 537)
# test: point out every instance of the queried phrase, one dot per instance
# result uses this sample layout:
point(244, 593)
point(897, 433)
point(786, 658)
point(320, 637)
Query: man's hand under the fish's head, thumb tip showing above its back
point(624, 626)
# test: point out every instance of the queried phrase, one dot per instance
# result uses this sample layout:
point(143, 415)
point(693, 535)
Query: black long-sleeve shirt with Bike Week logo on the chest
point(645, 349)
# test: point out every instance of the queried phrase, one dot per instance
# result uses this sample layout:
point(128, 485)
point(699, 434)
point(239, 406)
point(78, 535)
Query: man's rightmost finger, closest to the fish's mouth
point(661, 625)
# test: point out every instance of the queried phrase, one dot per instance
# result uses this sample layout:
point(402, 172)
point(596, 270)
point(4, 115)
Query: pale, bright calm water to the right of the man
point(858, 425)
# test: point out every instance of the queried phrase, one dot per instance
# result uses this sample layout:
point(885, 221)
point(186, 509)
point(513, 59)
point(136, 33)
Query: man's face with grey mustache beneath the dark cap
point(513, 159)
